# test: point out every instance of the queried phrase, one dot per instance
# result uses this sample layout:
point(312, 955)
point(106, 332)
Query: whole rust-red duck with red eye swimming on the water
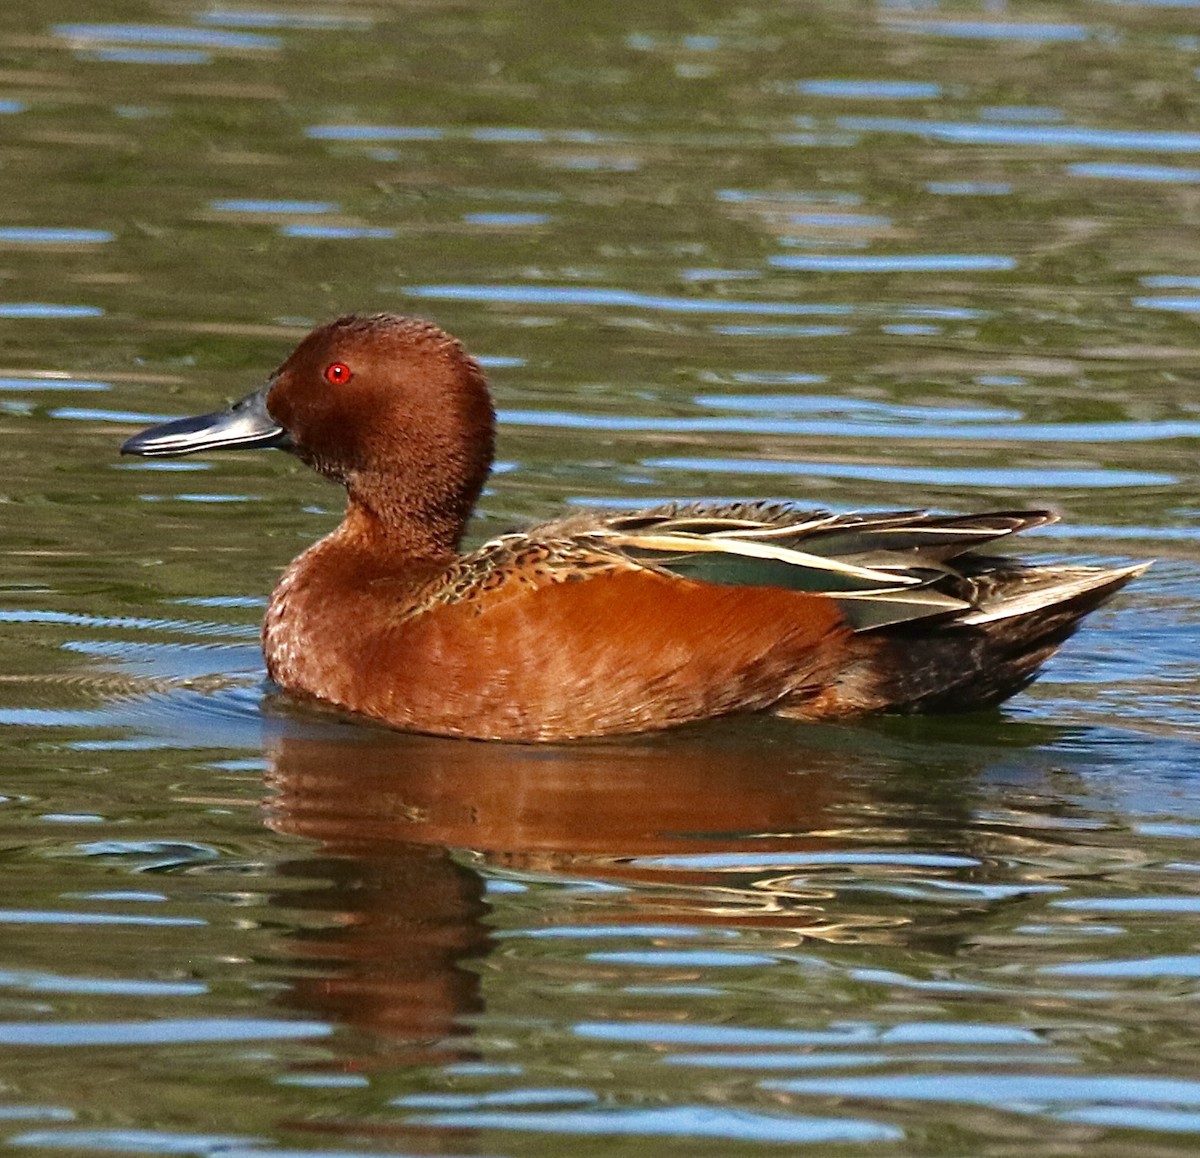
point(603, 623)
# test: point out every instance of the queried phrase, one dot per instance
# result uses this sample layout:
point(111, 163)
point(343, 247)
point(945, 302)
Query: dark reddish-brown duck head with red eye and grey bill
point(391, 407)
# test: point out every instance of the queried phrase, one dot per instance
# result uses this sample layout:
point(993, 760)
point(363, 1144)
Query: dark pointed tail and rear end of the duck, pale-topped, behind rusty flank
point(980, 659)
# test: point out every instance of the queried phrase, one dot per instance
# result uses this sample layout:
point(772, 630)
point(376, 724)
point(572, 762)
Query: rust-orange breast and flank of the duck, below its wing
point(541, 657)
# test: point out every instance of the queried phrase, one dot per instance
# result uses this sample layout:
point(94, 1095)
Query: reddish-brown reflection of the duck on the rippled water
point(694, 829)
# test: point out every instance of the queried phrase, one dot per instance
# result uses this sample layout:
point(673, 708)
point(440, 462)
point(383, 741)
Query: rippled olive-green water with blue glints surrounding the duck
point(862, 256)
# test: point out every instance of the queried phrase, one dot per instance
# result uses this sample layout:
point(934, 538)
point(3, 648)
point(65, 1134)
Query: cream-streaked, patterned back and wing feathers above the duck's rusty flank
point(883, 568)
